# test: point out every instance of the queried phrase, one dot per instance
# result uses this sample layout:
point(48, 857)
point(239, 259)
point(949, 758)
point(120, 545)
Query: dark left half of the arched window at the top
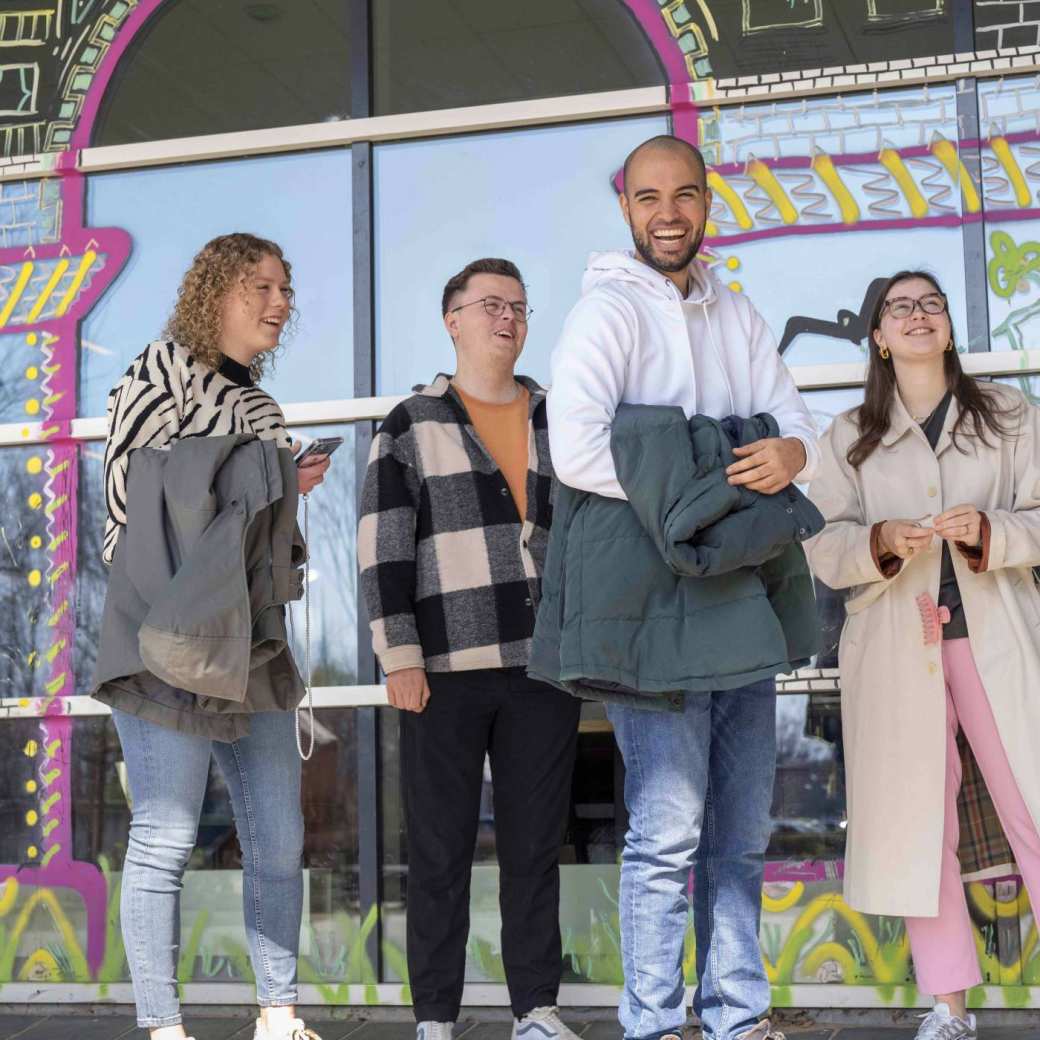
point(248, 67)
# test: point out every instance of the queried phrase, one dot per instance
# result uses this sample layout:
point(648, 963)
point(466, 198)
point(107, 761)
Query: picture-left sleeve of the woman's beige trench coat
point(844, 554)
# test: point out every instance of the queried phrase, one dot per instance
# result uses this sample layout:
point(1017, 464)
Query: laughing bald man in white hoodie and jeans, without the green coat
point(656, 327)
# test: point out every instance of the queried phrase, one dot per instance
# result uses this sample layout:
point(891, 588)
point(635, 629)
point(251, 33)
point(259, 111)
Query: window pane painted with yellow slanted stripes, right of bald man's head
point(815, 200)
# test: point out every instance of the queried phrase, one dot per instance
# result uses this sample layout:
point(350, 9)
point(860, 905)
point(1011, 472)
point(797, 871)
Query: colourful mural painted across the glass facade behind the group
point(844, 187)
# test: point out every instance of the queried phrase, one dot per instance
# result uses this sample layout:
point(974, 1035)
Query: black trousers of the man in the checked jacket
point(530, 732)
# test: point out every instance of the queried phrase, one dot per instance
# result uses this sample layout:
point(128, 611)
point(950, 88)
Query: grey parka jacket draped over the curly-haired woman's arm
point(194, 632)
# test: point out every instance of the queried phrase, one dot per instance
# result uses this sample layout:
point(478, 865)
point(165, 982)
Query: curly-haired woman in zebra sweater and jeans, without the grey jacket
point(231, 310)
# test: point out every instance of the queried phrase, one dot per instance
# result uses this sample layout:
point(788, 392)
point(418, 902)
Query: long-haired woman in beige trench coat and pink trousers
point(932, 496)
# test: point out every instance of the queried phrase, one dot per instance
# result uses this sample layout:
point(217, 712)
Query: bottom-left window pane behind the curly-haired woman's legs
point(79, 939)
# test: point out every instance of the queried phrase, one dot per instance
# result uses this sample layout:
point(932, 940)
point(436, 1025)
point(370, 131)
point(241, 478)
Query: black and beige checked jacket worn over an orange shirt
point(450, 573)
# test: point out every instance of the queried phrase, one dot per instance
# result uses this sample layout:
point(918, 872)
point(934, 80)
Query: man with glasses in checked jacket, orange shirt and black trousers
point(455, 526)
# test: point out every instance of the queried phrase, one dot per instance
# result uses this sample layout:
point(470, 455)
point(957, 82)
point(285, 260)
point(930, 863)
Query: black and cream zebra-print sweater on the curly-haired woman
point(166, 396)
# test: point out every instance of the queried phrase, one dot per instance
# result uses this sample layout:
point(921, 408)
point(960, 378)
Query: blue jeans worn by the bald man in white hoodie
point(698, 789)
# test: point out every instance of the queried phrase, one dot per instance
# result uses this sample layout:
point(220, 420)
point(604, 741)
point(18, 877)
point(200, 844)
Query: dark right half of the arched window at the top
point(431, 55)
